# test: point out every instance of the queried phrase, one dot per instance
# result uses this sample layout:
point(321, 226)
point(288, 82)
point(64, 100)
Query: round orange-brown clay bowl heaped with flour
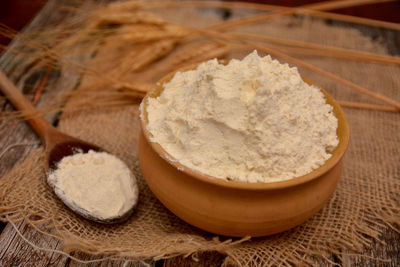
point(238, 208)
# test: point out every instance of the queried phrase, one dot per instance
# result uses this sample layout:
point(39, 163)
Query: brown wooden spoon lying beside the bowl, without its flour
point(57, 146)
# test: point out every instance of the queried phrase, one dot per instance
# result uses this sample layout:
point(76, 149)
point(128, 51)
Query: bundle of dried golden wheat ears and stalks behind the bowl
point(144, 47)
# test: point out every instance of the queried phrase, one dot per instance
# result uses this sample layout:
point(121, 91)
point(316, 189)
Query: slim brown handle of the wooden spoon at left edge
point(38, 123)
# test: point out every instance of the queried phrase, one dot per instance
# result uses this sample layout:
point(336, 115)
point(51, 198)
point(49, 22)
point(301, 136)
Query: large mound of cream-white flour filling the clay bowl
point(252, 120)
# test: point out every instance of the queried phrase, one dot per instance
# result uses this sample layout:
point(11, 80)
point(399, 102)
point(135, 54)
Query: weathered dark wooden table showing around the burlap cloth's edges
point(16, 252)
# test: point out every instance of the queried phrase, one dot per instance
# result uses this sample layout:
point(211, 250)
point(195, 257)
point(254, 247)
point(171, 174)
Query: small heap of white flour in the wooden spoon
point(97, 182)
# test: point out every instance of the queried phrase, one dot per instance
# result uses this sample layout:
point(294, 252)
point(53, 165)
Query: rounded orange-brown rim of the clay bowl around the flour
point(343, 133)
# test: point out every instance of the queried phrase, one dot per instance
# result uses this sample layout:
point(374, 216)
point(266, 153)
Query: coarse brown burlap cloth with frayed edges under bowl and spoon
point(366, 199)
